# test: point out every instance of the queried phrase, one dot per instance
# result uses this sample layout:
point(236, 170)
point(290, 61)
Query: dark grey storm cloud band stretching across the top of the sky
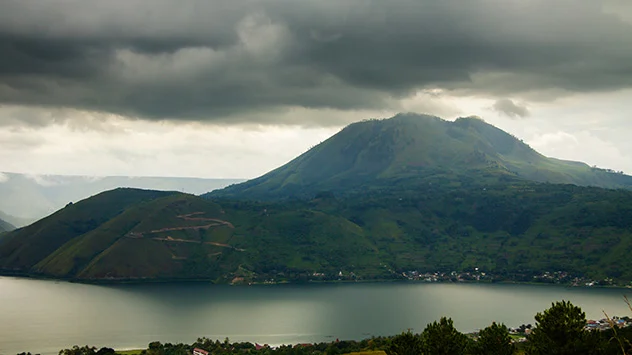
point(212, 59)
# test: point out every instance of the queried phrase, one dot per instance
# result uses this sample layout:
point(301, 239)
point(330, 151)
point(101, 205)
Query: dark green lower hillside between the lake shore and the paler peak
point(512, 231)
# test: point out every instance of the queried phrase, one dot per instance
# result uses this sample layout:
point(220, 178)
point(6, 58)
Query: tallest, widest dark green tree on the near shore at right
point(560, 331)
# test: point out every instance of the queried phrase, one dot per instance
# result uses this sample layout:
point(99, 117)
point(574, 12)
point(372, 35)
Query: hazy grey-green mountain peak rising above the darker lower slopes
point(416, 148)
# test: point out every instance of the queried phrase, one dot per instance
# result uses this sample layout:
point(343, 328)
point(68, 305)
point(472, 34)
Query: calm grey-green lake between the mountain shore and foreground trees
point(45, 316)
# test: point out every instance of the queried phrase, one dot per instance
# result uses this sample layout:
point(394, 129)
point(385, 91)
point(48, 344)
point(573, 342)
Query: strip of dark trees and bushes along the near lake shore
point(561, 329)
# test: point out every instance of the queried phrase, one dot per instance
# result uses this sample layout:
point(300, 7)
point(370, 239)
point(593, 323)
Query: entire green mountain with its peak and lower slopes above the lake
point(378, 199)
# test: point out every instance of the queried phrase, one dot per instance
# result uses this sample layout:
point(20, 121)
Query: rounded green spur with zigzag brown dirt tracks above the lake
point(178, 236)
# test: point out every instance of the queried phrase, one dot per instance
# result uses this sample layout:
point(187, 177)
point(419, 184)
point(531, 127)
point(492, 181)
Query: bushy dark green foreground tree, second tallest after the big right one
point(442, 338)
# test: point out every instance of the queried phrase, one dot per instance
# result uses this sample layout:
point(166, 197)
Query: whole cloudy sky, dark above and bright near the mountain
point(235, 88)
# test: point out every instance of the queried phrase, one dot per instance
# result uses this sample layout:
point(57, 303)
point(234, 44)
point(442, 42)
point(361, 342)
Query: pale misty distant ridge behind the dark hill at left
point(27, 198)
